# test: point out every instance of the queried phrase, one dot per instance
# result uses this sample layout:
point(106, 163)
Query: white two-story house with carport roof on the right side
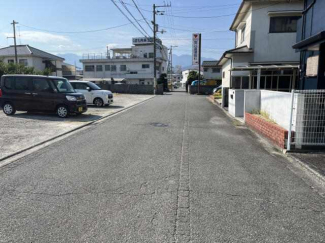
point(263, 57)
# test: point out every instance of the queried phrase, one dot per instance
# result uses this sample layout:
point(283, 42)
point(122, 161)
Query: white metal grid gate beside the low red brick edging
point(307, 119)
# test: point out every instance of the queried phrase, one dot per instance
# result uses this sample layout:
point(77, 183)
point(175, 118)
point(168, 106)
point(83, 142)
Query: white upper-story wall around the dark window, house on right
point(272, 47)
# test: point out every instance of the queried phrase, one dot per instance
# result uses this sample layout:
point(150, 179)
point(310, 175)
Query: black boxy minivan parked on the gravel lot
point(40, 93)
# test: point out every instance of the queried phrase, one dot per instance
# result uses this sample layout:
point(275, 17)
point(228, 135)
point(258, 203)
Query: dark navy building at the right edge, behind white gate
point(311, 44)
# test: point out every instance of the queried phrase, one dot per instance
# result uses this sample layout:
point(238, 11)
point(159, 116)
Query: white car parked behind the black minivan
point(94, 94)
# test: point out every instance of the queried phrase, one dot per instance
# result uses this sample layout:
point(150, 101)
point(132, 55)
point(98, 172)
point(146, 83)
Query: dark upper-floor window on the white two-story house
point(283, 24)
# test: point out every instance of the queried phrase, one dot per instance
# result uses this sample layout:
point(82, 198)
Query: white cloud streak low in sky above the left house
point(41, 37)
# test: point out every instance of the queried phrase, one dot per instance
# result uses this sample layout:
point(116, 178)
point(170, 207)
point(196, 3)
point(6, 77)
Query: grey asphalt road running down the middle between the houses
point(172, 169)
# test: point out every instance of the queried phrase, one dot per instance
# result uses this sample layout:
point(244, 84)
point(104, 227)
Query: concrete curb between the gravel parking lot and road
point(71, 131)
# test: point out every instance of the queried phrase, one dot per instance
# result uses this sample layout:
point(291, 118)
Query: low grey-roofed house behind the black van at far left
point(32, 57)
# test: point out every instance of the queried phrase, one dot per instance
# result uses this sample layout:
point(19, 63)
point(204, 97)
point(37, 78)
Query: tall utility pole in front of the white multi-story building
point(155, 30)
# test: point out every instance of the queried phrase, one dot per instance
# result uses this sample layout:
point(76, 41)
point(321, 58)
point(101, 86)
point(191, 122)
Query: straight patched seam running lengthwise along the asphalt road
point(183, 224)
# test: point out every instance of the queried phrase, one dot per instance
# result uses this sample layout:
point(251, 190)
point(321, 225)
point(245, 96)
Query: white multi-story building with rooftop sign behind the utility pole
point(134, 65)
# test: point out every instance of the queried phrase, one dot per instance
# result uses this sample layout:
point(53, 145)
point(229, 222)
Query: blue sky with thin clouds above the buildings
point(42, 23)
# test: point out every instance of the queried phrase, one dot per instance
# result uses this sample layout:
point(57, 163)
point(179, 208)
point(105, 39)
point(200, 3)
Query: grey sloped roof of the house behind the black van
point(26, 50)
